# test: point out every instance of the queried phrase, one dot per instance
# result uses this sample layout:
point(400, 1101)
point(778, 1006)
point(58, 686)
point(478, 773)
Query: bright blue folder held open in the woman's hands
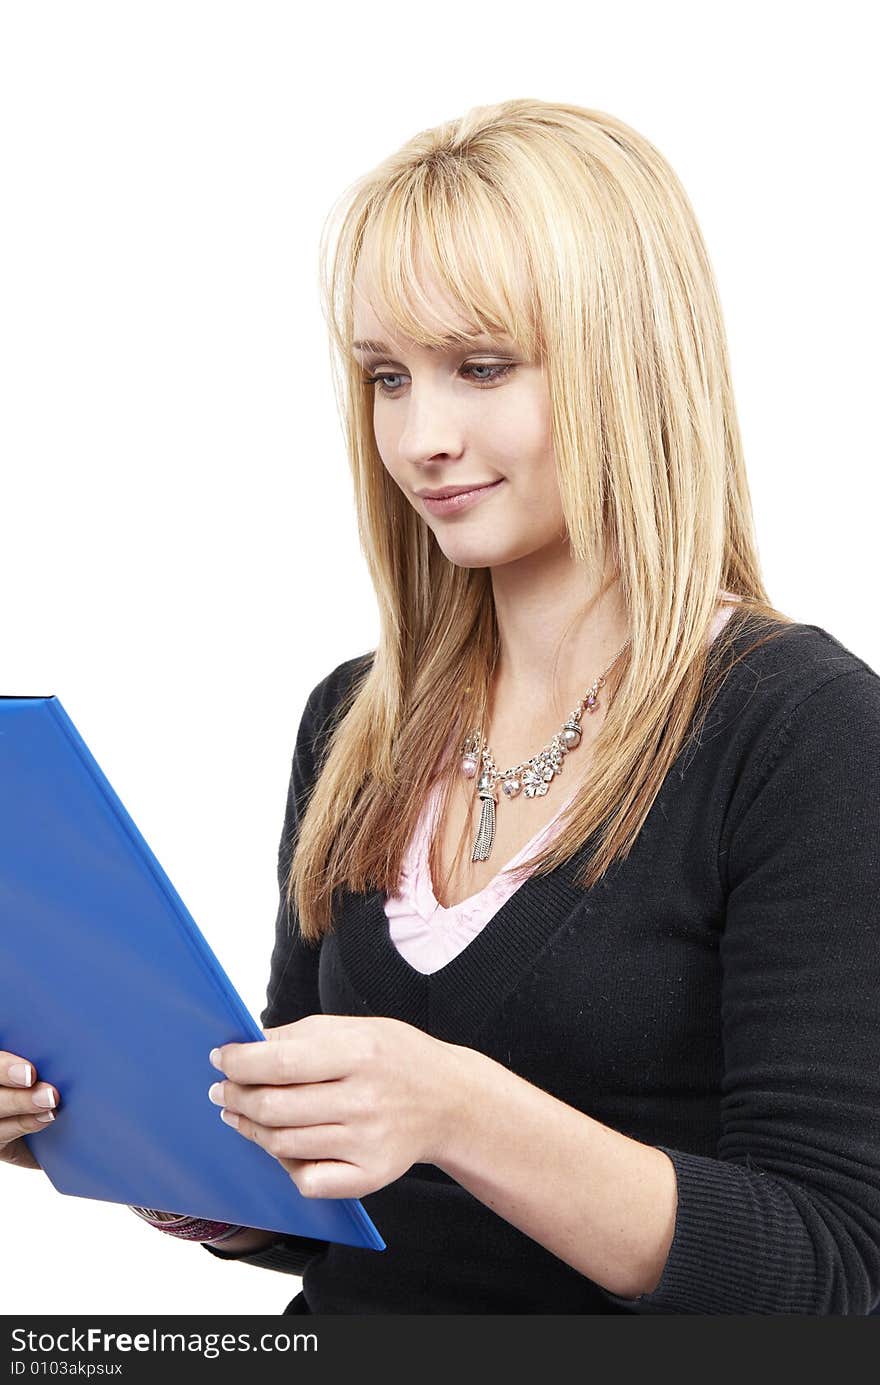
point(109, 987)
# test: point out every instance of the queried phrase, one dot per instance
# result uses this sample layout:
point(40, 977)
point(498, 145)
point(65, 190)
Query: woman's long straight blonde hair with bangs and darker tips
point(567, 231)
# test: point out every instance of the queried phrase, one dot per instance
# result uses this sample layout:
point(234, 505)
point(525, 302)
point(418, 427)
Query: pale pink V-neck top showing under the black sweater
point(429, 936)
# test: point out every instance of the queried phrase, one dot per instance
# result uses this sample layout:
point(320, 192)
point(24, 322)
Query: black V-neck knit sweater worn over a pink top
point(717, 995)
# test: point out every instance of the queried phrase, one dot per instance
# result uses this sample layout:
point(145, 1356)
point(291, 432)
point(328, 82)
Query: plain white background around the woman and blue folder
point(178, 544)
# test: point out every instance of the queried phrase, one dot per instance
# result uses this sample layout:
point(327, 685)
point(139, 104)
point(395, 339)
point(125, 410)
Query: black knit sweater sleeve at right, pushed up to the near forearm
point(786, 1218)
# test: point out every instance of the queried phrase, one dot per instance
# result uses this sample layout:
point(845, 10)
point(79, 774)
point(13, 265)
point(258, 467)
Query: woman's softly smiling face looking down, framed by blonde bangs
point(466, 418)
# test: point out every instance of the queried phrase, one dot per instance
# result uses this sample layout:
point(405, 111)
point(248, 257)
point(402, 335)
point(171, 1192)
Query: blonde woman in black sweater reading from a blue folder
point(608, 1045)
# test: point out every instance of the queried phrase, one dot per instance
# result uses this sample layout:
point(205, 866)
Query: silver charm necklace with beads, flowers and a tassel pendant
point(533, 776)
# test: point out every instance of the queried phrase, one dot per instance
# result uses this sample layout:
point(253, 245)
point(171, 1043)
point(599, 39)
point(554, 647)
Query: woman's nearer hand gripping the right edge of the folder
point(346, 1105)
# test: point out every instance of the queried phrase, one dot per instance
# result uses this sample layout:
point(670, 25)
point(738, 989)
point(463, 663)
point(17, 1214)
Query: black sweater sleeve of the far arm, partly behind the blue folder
point(293, 976)
